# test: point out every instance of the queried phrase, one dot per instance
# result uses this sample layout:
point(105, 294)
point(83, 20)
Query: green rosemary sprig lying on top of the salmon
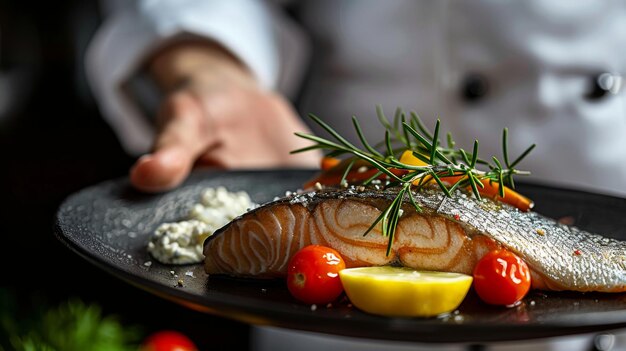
point(440, 162)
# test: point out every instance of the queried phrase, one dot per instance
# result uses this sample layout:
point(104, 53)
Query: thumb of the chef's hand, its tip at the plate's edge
point(180, 141)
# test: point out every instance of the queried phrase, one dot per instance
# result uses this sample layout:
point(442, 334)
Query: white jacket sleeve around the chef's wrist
point(127, 38)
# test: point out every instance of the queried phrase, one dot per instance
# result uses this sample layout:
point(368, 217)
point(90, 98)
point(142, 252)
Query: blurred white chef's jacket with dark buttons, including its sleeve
point(538, 60)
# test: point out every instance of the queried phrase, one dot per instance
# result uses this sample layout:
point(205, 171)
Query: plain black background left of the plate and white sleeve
point(54, 142)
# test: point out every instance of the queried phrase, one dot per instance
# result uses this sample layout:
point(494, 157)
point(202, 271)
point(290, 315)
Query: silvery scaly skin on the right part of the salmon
point(566, 257)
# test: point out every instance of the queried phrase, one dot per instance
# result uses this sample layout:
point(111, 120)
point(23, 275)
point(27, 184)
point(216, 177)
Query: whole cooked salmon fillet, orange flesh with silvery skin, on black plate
point(448, 234)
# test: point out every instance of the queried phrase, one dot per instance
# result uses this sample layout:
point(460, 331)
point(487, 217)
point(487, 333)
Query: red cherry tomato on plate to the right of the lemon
point(501, 278)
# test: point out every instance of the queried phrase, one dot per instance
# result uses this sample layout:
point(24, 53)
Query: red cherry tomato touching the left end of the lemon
point(313, 274)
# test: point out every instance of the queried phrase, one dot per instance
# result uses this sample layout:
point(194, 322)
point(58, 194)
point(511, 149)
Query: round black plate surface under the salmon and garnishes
point(109, 225)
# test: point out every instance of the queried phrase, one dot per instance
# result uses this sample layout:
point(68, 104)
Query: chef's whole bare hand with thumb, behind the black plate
point(216, 115)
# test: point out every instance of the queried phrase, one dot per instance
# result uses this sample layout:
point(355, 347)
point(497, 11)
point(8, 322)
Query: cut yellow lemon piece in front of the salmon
point(404, 292)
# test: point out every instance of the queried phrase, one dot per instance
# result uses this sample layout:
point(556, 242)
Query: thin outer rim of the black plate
point(500, 331)
